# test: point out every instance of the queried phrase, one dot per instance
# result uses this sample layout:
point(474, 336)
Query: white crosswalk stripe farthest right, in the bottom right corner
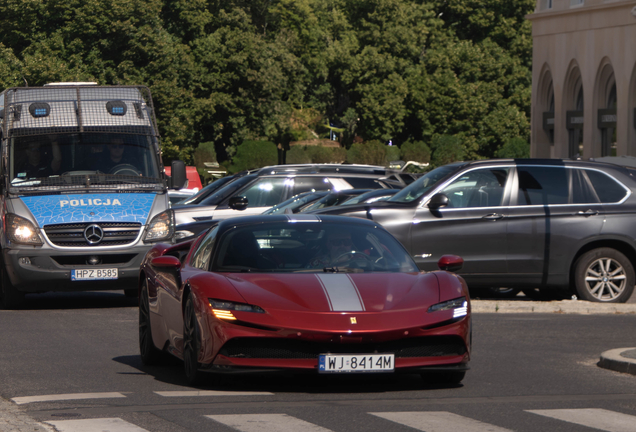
point(596, 418)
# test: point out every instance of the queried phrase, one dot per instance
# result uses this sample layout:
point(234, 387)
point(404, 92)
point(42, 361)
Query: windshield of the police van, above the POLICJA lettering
point(67, 159)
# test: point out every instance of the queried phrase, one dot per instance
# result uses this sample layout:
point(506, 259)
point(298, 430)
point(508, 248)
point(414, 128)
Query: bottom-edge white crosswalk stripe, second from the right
point(438, 421)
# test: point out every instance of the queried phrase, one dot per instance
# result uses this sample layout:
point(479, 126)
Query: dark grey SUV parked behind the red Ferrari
point(523, 223)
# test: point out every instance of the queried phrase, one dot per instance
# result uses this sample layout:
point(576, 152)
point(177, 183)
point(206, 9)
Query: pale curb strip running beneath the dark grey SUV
point(580, 307)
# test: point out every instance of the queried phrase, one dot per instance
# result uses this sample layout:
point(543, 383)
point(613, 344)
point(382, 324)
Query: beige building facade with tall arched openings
point(583, 78)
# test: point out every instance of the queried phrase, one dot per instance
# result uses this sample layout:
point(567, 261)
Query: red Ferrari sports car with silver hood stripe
point(324, 294)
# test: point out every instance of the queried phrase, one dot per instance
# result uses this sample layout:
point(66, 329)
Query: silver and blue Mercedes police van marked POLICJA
point(83, 191)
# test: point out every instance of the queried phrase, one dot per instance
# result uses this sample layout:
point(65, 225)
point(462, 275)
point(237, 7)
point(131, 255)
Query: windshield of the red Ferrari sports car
point(310, 246)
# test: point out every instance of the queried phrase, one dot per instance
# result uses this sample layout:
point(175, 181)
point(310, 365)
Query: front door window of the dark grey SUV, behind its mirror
point(477, 188)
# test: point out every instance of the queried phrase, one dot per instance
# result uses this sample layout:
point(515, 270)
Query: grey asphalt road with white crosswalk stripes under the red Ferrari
point(530, 372)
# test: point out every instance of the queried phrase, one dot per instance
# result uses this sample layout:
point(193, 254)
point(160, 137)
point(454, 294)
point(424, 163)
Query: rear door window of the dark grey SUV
point(542, 185)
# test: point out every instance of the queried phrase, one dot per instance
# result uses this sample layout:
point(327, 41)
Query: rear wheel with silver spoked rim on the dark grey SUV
point(604, 275)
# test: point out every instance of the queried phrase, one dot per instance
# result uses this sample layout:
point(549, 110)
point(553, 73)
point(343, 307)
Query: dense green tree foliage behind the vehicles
point(230, 71)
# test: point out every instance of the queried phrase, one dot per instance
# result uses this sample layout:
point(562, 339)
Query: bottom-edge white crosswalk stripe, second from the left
point(266, 423)
